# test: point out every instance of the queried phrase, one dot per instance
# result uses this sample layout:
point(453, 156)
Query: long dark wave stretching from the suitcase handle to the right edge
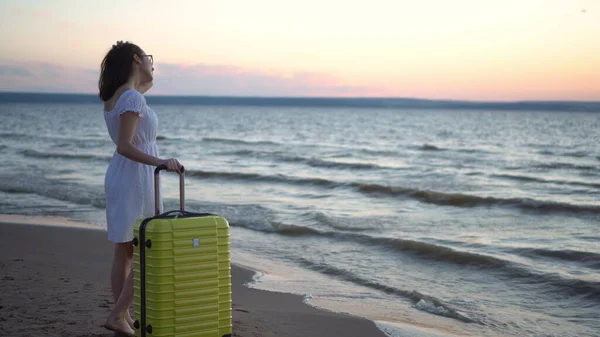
point(425, 196)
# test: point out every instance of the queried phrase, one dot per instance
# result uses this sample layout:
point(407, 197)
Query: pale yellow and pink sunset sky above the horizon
point(444, 49)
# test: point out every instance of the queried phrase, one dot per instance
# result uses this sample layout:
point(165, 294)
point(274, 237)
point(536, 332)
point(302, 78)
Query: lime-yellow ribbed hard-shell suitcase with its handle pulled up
point(182, 273)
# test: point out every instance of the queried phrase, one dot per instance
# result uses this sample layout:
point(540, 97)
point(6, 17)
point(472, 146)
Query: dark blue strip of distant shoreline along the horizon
point(324, 102)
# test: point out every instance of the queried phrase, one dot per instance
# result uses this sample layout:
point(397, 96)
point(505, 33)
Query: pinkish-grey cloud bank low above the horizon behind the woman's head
point(180, 79)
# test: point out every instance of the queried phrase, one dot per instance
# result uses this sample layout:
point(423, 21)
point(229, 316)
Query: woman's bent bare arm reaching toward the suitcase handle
point(125, 145)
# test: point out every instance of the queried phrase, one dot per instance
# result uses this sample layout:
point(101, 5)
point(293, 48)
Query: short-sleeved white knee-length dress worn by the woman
point(129, 185)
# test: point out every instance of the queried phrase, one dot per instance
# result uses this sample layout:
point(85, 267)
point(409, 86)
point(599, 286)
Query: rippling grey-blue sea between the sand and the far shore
point(428, 218)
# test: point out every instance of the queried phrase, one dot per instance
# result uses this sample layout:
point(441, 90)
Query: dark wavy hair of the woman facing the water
point(116, 68)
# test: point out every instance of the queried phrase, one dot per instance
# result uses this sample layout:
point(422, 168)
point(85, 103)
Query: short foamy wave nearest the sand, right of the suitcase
point(421, 301)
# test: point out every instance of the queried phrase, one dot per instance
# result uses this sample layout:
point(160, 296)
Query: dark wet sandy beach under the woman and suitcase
point(55, 282)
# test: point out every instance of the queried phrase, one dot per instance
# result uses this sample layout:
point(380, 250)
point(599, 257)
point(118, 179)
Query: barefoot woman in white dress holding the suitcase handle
point(126, 73)
